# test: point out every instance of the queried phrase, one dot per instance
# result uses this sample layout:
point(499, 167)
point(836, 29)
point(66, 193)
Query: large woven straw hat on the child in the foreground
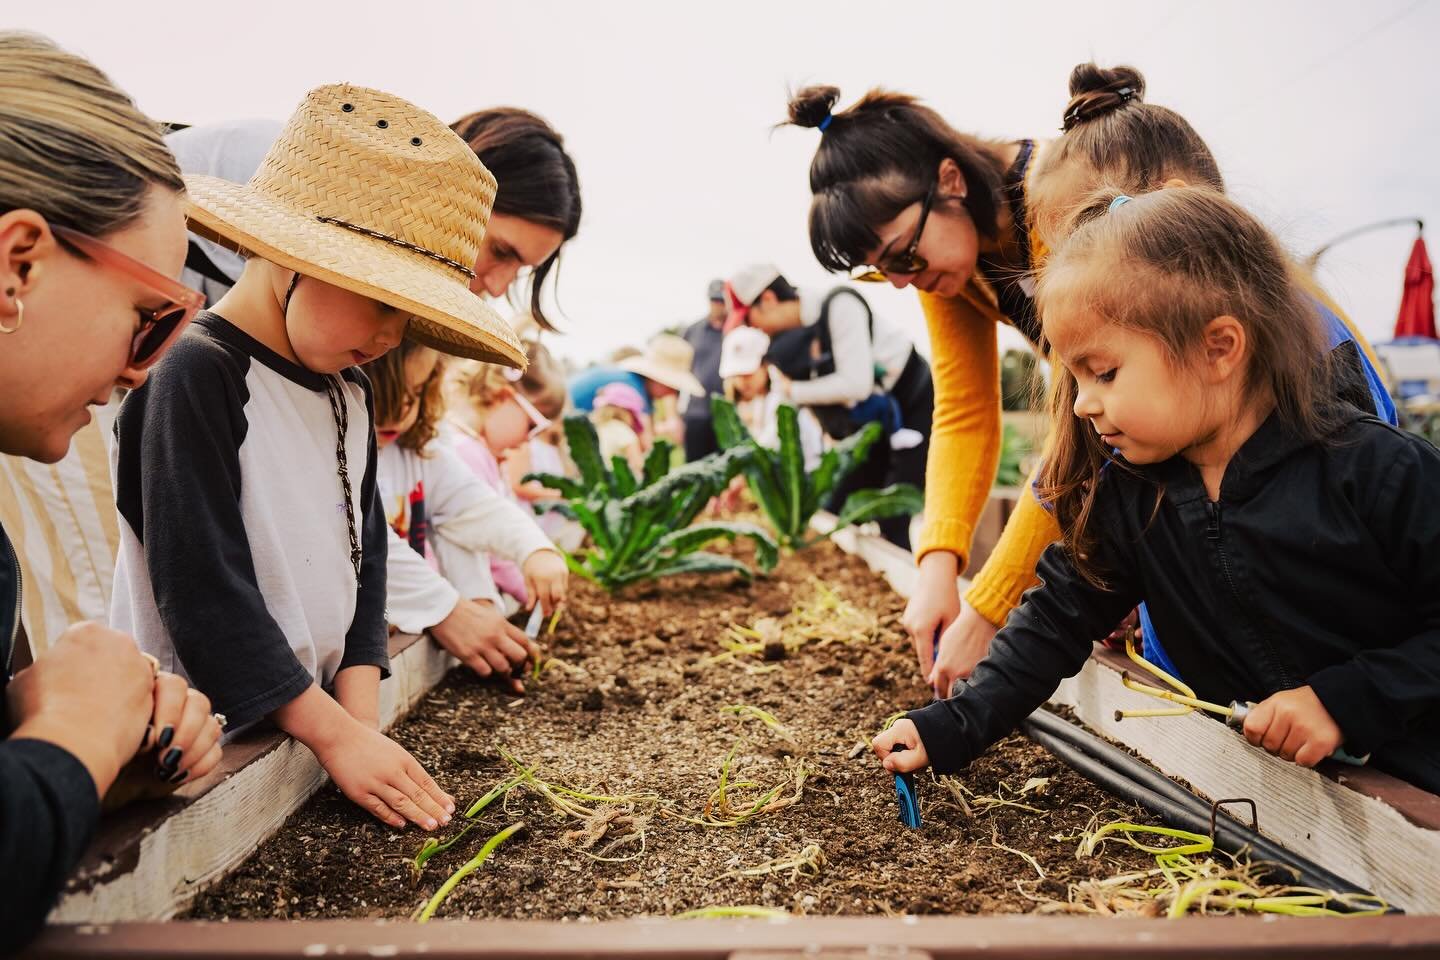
point(379, 198)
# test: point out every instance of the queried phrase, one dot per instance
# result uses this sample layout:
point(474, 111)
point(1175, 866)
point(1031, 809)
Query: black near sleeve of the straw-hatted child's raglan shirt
point(178, 486)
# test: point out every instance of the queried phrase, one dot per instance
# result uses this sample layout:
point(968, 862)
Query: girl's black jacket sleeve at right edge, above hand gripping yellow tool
point(1377, 694)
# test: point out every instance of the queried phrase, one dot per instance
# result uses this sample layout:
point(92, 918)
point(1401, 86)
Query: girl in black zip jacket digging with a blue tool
point(1288, 546)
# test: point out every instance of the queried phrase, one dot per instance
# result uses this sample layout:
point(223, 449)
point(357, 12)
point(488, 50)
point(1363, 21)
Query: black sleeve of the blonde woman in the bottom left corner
point(48, 812)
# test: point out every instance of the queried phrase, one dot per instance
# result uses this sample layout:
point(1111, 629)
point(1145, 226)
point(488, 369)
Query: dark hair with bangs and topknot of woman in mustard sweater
point(879, 158)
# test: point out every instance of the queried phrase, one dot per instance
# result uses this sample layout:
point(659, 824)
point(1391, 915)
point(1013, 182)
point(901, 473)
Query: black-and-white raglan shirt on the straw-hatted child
point(234, 563)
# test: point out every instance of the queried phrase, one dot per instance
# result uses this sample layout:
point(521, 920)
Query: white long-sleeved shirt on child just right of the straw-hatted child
point(437, 506)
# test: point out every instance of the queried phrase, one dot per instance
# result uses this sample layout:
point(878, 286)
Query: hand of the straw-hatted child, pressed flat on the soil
point(381, 776)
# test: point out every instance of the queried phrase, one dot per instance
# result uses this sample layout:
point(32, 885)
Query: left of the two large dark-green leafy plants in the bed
point(640, 527)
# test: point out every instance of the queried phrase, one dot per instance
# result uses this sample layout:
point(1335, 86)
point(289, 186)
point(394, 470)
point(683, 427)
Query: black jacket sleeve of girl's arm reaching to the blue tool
point(1048, 638)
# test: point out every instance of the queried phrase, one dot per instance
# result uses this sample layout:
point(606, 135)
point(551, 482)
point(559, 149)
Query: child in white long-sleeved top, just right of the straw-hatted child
point(450, 529)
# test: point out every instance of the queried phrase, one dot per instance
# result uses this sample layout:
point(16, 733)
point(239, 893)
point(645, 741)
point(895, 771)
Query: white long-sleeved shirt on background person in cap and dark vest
point(856, 356)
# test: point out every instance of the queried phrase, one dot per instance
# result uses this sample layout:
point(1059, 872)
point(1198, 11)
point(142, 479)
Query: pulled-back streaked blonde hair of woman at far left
point(73, 146)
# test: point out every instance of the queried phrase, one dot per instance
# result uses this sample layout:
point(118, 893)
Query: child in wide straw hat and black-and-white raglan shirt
point(254, 545)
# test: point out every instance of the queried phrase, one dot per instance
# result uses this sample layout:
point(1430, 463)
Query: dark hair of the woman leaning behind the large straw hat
point(536, 176)
